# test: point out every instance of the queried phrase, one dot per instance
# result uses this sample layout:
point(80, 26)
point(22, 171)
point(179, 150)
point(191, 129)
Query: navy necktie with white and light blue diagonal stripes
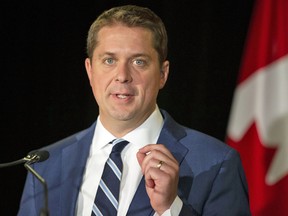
point(106, 200)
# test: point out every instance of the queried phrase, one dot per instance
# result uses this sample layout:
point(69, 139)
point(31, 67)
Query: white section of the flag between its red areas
point(263, 98)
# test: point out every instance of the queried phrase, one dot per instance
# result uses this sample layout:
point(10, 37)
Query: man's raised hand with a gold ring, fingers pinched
point(161, 171)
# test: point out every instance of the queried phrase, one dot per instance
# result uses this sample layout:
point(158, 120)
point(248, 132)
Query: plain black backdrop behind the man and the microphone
point(45, 94)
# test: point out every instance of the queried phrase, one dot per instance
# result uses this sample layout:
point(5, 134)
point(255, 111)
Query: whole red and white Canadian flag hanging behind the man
point(258, 123)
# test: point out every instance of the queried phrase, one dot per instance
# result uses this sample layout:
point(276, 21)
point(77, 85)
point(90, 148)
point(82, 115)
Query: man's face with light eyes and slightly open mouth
point(125, 75)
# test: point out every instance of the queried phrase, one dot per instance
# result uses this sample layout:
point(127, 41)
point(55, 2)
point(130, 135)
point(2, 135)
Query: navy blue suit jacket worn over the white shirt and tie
point(211, 178)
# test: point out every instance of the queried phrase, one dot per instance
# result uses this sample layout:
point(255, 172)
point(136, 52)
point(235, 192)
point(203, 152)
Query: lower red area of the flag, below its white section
point(265, 200)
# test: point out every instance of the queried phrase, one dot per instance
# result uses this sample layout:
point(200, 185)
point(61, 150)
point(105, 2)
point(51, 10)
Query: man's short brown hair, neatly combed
point(131, 16)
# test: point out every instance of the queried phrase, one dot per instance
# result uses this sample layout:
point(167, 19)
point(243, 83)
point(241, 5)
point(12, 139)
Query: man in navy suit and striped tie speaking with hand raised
point(168, 169)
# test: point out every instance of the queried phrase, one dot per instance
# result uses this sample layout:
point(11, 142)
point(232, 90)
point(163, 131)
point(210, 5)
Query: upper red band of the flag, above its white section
point(267, 36)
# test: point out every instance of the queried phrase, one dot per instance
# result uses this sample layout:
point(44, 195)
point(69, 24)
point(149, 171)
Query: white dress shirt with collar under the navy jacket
point(147, 133)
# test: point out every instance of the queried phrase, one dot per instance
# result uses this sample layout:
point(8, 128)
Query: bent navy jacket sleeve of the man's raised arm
point(221, 190)
